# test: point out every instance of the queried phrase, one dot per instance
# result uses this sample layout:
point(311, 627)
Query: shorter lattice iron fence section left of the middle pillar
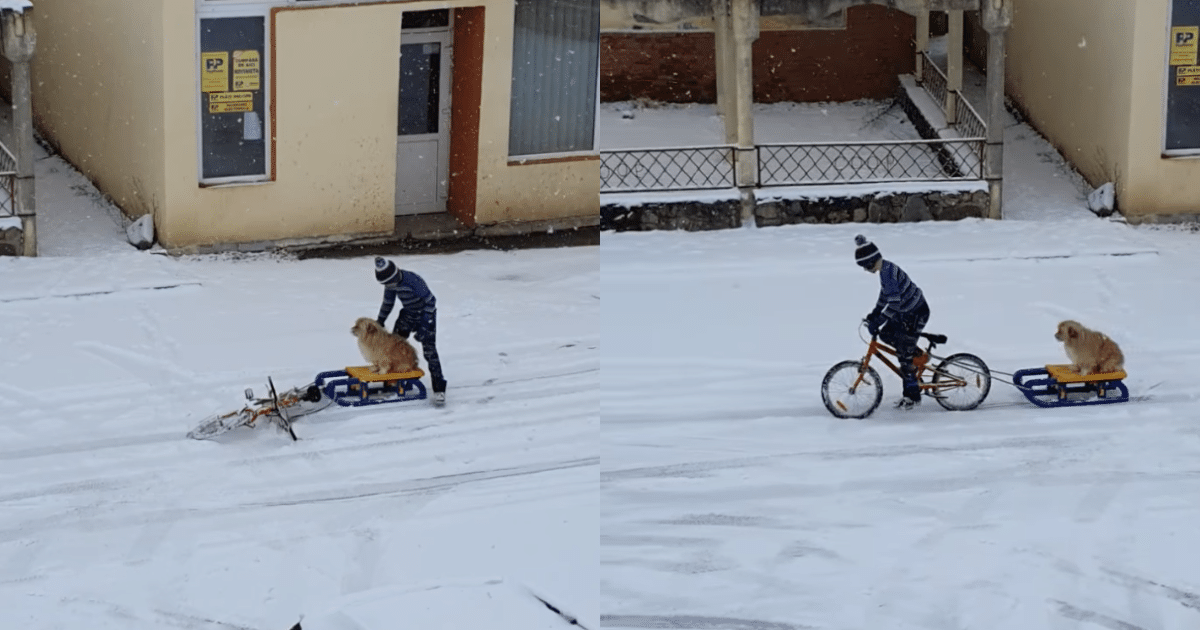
point(668, 170)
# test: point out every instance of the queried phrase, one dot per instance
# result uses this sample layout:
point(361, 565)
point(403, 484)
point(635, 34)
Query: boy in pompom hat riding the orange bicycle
point(899, 316)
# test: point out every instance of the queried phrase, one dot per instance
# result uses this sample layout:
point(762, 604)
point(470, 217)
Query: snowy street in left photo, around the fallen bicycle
point(115, 520)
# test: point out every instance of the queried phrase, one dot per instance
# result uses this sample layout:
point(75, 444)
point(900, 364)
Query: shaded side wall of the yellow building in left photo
point(98, 83)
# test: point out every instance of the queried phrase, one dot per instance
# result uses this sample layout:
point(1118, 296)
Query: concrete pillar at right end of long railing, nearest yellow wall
point(998, 17)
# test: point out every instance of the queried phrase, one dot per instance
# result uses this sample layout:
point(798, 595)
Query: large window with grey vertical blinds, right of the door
point(556, 53)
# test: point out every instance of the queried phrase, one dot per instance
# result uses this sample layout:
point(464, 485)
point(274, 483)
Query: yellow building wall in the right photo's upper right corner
point(1091, 79)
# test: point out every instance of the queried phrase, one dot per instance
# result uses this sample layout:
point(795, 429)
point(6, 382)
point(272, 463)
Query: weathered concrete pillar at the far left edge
point(20, 41)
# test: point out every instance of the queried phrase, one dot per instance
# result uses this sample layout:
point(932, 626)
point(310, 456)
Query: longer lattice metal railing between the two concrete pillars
point(867, 163)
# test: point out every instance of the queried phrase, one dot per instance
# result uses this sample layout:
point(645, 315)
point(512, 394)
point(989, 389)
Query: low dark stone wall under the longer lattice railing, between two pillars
point(873, 208)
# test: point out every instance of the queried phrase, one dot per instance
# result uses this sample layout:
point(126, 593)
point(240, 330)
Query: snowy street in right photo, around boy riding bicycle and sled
point(733, 499)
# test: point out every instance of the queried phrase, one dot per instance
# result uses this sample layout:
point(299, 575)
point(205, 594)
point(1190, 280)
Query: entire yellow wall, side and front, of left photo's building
point(116, 88)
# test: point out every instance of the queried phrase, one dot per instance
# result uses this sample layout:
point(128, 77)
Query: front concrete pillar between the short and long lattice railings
point(746, 32)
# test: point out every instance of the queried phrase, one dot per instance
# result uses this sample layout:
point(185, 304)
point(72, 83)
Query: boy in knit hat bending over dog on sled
point(418, 316)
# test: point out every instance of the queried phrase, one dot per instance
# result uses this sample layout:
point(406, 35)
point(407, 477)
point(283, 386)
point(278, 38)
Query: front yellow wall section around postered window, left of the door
point(335, 160)
